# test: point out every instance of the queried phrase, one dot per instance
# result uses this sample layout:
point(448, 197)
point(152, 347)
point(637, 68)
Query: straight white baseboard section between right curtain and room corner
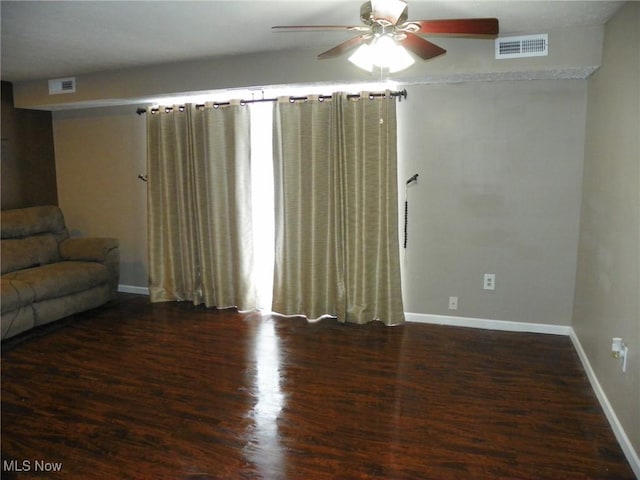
point(488, 324)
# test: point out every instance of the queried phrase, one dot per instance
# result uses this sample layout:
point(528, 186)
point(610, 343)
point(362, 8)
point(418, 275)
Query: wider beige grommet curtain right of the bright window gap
point(335, 174)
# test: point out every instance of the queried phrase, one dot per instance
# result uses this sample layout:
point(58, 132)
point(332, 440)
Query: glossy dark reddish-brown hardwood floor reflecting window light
point(169, 391)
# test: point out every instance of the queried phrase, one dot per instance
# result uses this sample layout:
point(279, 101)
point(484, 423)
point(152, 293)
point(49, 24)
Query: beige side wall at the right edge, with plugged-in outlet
point(608, 275)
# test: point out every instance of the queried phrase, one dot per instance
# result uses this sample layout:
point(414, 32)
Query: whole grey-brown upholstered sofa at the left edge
point(46, 275)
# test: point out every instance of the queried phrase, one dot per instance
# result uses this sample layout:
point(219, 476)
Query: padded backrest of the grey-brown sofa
point(30, 237)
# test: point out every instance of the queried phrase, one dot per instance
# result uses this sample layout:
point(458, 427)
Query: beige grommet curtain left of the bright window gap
point(199, 206)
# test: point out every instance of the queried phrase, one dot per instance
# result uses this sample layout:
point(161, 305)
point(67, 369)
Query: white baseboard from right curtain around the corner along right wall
point(616, 426)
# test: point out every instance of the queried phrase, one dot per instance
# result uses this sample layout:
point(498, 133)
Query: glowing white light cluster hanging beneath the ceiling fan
point(383, 52)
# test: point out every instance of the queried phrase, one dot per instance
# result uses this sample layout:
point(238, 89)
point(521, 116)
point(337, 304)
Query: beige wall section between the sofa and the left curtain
point(99, 153)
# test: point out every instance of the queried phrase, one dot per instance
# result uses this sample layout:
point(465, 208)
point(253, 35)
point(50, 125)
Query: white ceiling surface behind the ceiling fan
point(42, 39)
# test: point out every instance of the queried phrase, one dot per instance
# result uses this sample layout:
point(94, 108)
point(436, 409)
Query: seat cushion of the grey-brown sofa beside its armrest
point(62, 278)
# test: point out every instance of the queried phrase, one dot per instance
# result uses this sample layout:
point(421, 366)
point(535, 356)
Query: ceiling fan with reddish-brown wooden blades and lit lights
point(385, 22)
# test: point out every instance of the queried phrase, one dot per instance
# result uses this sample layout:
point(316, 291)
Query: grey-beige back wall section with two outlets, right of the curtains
point(500, 168)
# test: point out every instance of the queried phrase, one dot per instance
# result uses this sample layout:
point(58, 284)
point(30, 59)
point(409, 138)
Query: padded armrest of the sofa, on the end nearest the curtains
point(95, 249)
